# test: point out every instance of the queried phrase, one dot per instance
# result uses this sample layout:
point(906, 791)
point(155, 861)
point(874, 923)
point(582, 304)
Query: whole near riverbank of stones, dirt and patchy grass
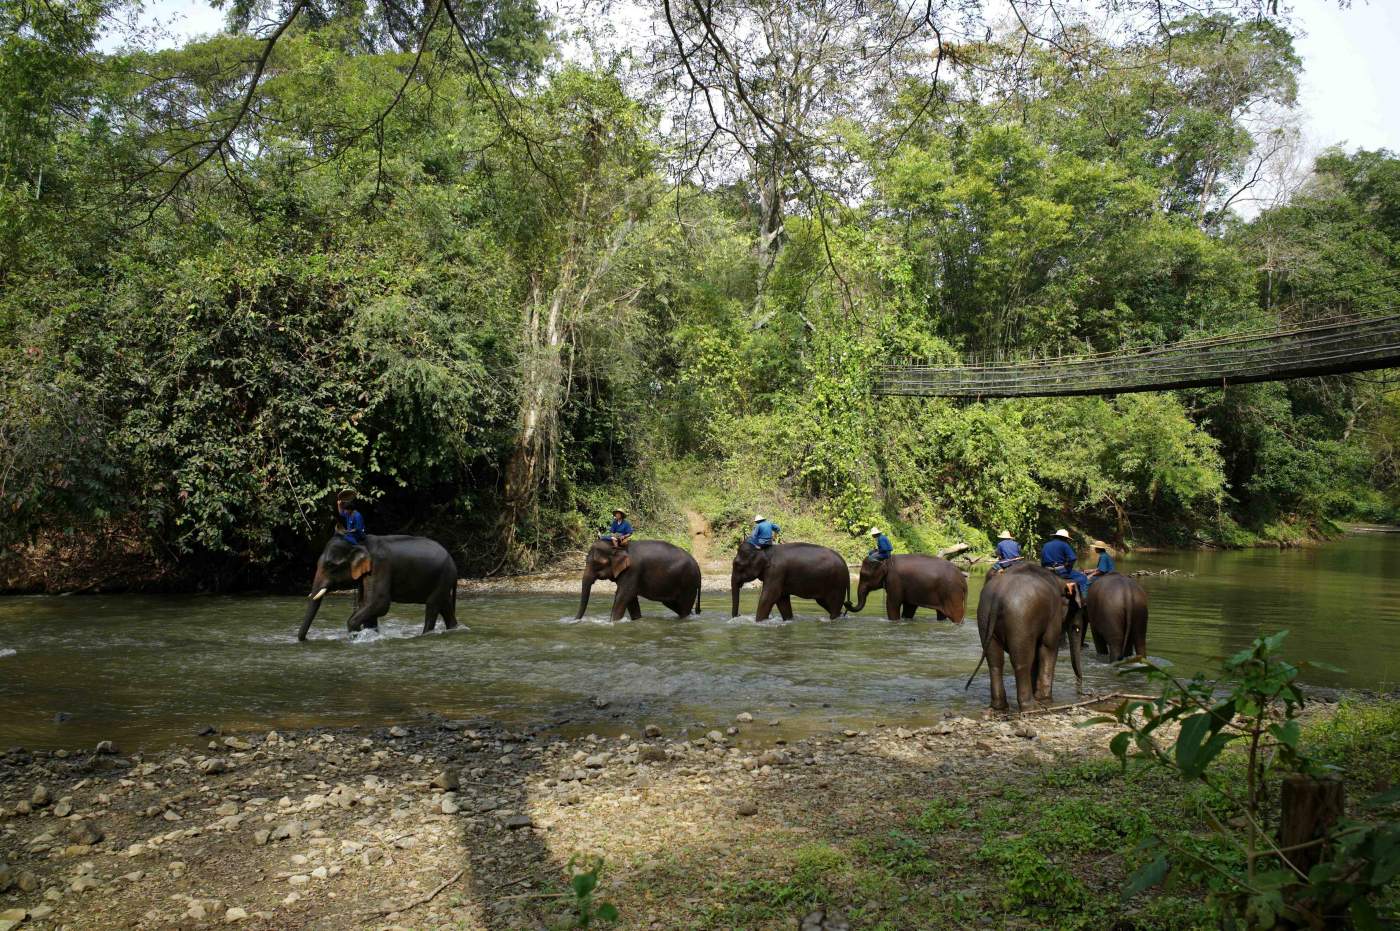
point(463, 825)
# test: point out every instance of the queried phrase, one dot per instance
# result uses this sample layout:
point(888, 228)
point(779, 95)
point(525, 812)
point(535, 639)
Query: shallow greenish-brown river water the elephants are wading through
point(145, 671)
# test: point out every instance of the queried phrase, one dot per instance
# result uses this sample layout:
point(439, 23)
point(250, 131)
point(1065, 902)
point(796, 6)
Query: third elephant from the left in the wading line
point(806, 570)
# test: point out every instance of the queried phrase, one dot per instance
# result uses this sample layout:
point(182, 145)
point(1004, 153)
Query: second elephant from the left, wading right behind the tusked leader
point(646, 569)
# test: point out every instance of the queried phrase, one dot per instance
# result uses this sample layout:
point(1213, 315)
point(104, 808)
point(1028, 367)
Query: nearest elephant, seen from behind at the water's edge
point(1024, 611)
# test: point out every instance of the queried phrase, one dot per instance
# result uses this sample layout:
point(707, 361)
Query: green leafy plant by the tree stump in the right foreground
point(1256, 884)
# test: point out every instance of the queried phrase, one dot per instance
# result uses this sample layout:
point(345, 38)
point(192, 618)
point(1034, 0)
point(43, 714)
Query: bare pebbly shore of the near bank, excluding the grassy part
point(465, 825)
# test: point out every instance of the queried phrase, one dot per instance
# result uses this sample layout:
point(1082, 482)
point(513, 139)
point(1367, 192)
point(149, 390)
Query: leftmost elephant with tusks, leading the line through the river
point(386, 569)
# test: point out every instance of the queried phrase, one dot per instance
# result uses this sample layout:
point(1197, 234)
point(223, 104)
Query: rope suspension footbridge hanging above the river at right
point(1339, 345)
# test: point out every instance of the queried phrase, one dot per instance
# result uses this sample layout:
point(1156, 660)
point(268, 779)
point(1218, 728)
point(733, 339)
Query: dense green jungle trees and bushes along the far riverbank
point(498, 269)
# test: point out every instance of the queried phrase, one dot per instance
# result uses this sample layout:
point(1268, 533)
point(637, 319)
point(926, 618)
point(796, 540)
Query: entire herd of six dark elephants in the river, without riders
point(1024, 612)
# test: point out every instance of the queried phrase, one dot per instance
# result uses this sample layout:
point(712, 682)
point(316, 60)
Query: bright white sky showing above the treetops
point(1347, 94)
